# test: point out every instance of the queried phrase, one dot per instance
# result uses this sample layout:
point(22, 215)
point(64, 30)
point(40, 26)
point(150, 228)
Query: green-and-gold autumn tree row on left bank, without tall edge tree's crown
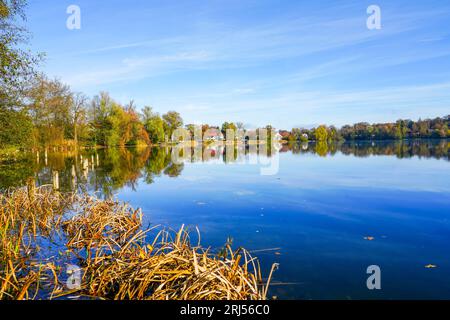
point(49, 114)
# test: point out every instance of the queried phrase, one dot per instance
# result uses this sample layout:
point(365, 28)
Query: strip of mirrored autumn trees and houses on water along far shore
point(107, 170)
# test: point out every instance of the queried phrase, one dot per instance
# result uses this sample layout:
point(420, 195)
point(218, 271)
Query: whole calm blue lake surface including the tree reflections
point(312, 212)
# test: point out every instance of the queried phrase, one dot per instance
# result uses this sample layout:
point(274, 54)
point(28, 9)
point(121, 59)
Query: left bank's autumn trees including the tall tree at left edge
point(36, 111)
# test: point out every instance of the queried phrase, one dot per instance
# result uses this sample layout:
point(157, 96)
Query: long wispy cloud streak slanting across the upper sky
point(223, 47)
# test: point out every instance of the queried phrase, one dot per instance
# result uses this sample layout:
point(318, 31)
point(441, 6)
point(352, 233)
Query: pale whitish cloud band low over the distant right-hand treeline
point(337, 107)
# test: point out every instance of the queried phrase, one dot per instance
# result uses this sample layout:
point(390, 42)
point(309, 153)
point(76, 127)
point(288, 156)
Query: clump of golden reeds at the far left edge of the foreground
point(25, 217)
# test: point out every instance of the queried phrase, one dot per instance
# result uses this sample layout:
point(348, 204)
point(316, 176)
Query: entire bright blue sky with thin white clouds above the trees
point(285, 63)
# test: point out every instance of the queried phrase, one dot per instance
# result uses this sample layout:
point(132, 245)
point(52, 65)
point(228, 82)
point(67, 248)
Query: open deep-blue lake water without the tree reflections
point(315, 213)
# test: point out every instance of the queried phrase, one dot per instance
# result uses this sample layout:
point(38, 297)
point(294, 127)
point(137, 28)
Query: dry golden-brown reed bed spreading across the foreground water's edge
point(118, 259)
